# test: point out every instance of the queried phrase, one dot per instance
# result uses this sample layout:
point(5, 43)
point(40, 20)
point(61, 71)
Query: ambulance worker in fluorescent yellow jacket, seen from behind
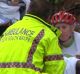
point(30, 46)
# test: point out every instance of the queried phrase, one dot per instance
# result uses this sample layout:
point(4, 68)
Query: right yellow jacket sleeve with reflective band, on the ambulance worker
point(54, 63)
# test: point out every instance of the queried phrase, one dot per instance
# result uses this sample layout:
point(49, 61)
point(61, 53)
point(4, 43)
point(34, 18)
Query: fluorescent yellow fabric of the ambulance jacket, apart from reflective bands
point(18, 40)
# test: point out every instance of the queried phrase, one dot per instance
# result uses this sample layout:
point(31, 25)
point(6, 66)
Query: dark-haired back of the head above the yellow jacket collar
point(40, 8)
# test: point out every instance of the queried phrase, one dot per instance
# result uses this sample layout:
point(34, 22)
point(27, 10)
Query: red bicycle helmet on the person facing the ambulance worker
point(64, 17)
